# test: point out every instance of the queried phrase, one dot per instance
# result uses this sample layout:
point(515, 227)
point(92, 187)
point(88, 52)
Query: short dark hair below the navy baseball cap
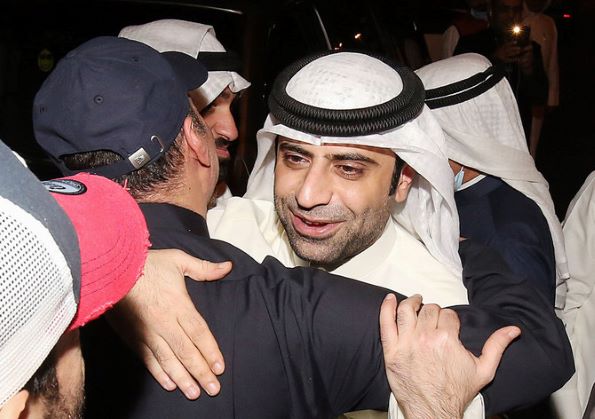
point(164, 172)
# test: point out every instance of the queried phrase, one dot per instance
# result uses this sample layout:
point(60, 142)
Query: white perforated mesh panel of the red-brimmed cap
point(37, 299)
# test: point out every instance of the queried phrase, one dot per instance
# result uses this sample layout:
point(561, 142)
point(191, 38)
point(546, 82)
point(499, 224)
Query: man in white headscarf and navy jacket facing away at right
point(502, 199)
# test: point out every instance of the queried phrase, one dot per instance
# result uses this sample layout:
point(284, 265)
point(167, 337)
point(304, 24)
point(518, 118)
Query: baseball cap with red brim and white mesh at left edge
point(83, 245)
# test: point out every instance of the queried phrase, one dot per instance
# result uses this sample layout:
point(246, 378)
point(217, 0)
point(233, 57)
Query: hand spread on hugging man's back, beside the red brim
point(158, 320)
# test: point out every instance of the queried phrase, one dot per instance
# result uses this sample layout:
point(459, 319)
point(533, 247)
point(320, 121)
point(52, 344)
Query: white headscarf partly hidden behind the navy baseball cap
point(189, 38)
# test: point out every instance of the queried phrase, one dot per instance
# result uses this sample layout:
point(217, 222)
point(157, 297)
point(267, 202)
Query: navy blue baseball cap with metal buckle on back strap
point(118, 95)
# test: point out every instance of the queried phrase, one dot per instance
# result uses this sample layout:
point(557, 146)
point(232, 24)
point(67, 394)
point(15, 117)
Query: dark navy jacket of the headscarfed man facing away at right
point(495, 214)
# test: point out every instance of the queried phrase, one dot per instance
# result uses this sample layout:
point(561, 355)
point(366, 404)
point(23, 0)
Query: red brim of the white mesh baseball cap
point(113, 240)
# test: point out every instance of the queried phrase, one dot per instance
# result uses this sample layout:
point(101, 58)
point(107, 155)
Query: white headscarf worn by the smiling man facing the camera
point(351, 81)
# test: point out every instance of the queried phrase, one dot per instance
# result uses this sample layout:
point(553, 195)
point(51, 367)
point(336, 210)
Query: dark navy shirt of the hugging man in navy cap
point(301, 343)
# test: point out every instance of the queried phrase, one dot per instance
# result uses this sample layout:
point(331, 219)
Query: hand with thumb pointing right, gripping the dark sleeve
point(429, 371)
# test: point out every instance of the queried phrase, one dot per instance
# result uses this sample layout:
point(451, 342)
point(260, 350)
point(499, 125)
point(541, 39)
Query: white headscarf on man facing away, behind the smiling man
point(486, 133)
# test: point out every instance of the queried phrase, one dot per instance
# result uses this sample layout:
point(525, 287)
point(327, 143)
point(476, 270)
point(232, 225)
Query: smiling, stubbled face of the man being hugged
point(332, 200)
